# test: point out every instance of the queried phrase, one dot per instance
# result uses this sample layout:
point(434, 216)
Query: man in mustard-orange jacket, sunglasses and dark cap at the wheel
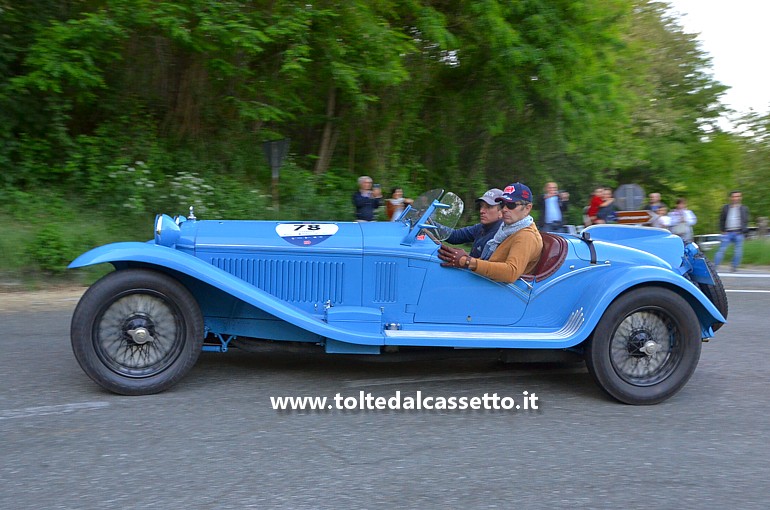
point(515, 248)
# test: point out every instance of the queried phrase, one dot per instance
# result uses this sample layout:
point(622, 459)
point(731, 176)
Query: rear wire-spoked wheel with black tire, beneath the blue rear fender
point(616, 356)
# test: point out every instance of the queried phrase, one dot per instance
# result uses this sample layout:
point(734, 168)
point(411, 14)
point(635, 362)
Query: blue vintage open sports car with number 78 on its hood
point(635, 303)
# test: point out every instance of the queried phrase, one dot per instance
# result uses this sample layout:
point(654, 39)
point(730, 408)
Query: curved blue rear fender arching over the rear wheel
point(621, 279)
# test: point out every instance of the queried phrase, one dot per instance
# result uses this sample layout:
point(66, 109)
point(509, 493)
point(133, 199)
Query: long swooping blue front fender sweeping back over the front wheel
point(135, 253)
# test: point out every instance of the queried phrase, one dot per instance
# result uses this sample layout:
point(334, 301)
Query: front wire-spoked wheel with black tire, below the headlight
point(137, 332)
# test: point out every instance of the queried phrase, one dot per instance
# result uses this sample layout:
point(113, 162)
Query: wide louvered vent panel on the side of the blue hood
point(299, 281)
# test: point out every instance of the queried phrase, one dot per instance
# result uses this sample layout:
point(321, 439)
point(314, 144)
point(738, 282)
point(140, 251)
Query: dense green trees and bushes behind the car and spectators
point(418, 94)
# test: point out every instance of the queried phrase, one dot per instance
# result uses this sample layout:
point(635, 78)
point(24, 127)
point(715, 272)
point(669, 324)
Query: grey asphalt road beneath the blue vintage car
point(213, 441)
